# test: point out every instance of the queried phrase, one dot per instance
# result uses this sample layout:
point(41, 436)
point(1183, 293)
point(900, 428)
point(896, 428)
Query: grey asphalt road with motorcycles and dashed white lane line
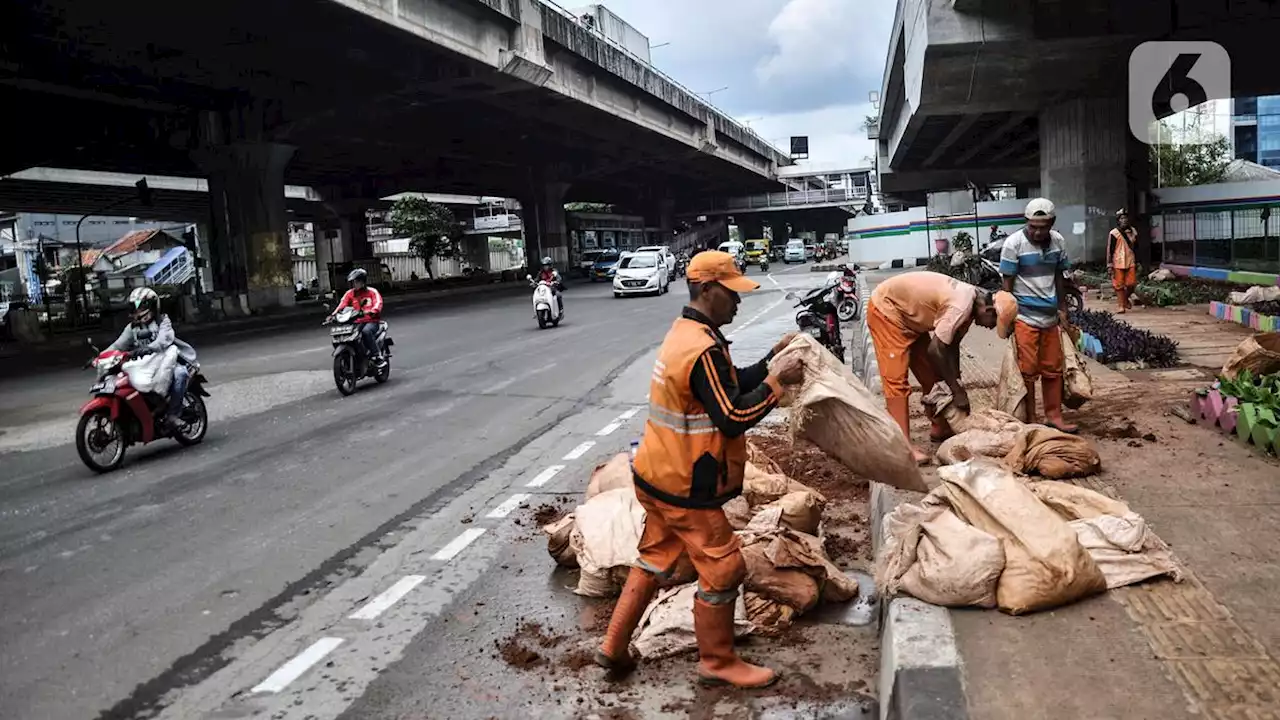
point(180, 582)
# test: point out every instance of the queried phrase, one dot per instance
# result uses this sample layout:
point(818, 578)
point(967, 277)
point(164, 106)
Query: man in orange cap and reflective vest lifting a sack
point(691, 463)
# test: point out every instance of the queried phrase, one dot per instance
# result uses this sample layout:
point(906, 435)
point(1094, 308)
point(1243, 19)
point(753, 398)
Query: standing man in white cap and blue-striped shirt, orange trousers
point(1032, 265)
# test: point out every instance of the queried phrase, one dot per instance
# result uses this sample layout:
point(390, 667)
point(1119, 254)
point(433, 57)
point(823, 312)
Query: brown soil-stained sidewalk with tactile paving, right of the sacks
point(1206, 648)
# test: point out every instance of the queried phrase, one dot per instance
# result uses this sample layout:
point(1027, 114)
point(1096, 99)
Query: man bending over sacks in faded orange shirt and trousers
point(903, 313)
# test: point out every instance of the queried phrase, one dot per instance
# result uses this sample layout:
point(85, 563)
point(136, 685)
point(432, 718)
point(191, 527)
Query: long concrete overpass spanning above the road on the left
point(360, 99)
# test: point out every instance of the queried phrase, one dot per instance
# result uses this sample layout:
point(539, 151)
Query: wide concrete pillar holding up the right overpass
point(1087, 165)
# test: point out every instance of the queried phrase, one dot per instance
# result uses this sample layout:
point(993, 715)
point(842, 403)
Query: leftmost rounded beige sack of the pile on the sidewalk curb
point(935, 557)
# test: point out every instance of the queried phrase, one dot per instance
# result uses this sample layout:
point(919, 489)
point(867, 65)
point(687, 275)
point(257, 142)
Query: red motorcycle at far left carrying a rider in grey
point(121, 416)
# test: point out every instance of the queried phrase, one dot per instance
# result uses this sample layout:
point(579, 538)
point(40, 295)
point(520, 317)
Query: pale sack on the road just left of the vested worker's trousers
point(607, 534)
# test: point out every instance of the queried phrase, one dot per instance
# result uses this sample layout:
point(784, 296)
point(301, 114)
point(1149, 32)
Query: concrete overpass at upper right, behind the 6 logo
point(1035, 93)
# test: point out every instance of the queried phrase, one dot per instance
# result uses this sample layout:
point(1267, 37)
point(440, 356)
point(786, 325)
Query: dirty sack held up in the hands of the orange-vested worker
point(836, 412)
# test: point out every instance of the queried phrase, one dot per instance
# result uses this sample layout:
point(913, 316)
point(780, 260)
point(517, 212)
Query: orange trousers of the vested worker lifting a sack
point(703, 535)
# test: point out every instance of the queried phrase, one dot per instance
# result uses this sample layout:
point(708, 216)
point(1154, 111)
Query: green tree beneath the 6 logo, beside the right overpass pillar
point(1188, 153)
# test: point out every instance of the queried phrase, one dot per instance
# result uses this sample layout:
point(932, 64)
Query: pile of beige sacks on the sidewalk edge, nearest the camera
point(990, 539)
